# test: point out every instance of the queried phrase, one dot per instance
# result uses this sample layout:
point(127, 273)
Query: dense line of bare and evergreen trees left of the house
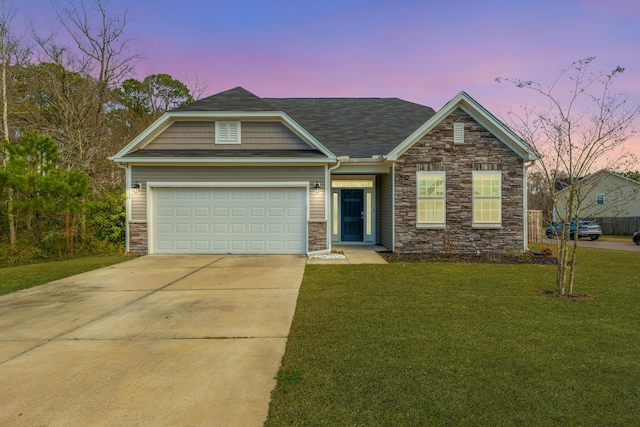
point(66, 108)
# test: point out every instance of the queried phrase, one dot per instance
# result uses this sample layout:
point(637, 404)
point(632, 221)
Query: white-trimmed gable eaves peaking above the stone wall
point(478, 113)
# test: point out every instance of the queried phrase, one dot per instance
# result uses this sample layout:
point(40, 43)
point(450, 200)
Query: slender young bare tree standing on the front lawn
point(580, 127)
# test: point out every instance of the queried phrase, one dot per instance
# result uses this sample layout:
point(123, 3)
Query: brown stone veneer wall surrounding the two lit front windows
point(436, 151)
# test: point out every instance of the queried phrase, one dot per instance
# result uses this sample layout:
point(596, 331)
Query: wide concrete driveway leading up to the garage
point(160, 340)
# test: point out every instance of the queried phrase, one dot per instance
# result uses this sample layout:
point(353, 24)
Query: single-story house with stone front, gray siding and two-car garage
point(236, 173)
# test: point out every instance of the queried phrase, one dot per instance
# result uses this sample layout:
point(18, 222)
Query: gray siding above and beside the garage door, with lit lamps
point(144, 174)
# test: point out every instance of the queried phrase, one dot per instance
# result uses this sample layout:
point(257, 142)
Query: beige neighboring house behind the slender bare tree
point(611, 199)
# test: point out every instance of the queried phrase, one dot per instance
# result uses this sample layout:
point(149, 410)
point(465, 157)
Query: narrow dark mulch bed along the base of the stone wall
point(526, 258)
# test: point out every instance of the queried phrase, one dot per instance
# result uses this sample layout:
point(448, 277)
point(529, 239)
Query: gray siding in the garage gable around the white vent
point(190, 135)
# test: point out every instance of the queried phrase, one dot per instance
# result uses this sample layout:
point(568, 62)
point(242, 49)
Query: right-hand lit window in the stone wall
point(487, 198)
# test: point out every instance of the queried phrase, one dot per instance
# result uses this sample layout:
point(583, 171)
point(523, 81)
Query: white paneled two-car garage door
point(229, 220)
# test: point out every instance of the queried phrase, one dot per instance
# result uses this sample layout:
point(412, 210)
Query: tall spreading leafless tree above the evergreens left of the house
point(78, 82)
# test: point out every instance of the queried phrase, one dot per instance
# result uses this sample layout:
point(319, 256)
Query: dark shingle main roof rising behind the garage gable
point(354, 127)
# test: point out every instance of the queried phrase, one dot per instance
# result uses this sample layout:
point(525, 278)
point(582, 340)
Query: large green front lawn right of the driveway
point(442, 344)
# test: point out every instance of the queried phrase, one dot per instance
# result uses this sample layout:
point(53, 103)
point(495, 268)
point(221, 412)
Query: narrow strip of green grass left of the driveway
point(26, 276)
